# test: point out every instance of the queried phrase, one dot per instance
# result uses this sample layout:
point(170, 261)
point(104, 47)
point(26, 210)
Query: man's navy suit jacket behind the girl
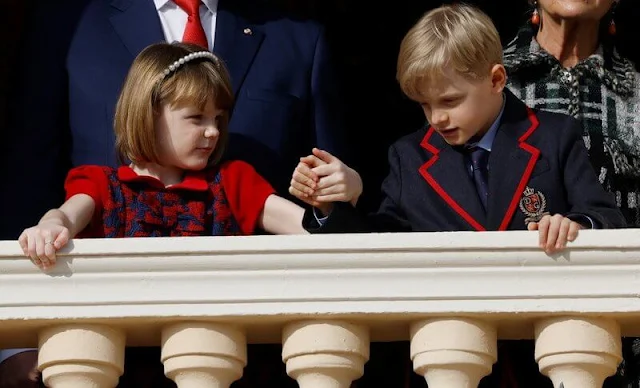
point(286, 98)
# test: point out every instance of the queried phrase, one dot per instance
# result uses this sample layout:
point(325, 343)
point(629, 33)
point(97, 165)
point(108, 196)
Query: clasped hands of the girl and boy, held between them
point(323, 178)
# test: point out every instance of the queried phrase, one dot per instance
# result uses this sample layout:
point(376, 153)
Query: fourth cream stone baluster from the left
point(453, 352)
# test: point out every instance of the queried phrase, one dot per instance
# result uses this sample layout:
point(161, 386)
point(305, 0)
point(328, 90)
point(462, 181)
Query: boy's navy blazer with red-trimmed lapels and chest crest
point(538, 164)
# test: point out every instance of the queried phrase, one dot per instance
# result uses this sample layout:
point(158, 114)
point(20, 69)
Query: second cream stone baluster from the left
point(203, 354)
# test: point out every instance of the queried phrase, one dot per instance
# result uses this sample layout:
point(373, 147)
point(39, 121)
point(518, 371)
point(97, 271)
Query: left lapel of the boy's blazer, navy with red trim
point(446, 173)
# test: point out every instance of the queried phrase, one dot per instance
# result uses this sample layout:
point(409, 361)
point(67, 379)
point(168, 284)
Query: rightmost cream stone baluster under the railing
point(578, 352)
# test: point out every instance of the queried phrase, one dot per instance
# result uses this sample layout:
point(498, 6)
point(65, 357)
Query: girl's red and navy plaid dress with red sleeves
point(223, 201)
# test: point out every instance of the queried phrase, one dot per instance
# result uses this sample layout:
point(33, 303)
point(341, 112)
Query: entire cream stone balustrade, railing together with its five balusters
point(453, 295)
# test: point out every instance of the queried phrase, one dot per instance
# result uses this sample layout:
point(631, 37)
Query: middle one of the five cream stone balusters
point(325, 354)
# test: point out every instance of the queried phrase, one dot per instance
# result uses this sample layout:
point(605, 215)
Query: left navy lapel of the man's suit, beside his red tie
point(137, 23)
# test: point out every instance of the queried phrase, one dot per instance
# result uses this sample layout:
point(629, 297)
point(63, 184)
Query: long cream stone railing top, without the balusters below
point(381, 276)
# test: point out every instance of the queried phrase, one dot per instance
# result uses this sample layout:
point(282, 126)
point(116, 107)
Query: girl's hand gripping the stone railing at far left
point(41, 242)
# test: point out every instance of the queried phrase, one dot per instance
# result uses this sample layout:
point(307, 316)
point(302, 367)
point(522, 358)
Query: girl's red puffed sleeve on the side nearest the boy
point(246, 191)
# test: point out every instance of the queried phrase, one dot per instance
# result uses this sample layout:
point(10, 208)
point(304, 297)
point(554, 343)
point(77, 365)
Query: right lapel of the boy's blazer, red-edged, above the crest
point(511, 162)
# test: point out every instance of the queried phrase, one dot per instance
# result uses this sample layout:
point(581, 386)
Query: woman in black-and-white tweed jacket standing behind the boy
point(566, 62)
